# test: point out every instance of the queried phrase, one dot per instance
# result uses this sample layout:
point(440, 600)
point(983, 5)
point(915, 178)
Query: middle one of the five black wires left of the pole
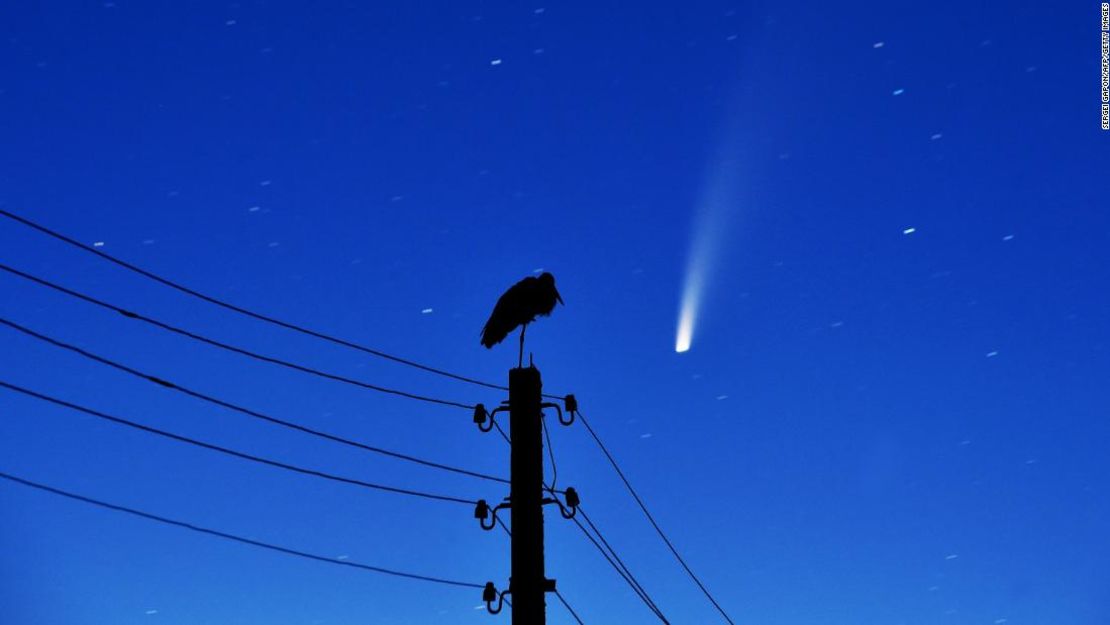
point(249, 412)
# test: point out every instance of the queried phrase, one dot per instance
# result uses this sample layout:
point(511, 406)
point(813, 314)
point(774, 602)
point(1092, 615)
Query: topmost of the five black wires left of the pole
point(241, 310)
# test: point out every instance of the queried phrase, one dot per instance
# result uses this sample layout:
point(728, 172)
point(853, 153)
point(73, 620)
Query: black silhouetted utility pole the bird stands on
point(528, 583)
